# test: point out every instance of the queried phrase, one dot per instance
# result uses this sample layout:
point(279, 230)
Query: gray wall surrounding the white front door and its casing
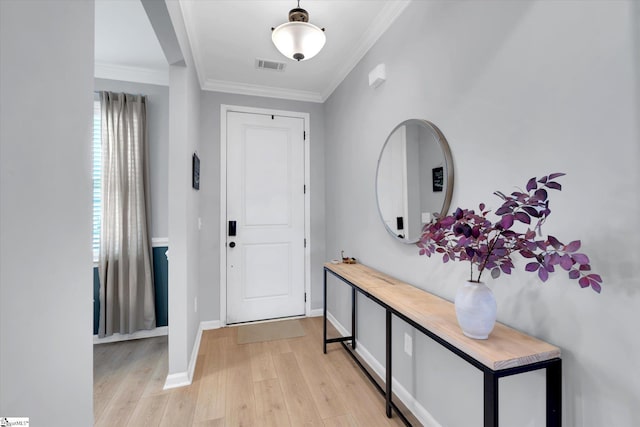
point(209, 301)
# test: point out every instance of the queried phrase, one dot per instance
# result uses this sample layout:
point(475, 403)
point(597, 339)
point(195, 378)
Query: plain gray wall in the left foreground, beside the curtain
point(46, 84)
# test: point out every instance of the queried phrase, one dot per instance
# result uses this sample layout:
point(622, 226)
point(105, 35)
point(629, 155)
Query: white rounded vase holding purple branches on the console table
point(476, 310)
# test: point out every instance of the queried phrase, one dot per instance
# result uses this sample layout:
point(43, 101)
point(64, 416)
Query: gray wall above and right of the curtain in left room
point(158, 128)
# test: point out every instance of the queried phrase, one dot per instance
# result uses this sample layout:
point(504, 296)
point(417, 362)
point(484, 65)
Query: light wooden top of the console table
point(505, 347)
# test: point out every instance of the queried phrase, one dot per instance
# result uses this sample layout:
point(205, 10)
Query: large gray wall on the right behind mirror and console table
point(519, 89)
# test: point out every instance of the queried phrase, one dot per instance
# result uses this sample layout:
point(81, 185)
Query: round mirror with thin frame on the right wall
point(414, 180)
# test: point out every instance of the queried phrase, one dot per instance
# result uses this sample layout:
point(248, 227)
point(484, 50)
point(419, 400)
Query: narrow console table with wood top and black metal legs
point(506, 352)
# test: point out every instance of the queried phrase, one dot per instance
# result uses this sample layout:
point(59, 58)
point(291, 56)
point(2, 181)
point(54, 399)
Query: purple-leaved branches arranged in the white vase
point(469, 236)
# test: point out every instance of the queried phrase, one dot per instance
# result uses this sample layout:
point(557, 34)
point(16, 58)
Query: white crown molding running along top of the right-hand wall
point(378, 27)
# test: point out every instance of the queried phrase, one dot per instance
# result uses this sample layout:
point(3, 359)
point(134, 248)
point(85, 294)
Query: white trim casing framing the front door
point(224, 109)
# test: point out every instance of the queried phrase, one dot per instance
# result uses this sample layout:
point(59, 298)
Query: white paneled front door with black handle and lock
point(265, 205)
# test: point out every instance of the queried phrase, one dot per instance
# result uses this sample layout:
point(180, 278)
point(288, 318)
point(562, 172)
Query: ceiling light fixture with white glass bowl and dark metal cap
point(298, 39)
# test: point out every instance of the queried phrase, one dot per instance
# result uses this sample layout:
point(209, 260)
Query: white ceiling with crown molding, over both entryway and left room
point(227, 36)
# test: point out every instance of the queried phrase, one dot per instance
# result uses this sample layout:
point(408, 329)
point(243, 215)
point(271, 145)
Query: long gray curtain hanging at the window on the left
point(125, 263)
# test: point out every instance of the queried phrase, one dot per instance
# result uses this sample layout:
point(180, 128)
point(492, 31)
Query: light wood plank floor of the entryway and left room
point(277, 383)
